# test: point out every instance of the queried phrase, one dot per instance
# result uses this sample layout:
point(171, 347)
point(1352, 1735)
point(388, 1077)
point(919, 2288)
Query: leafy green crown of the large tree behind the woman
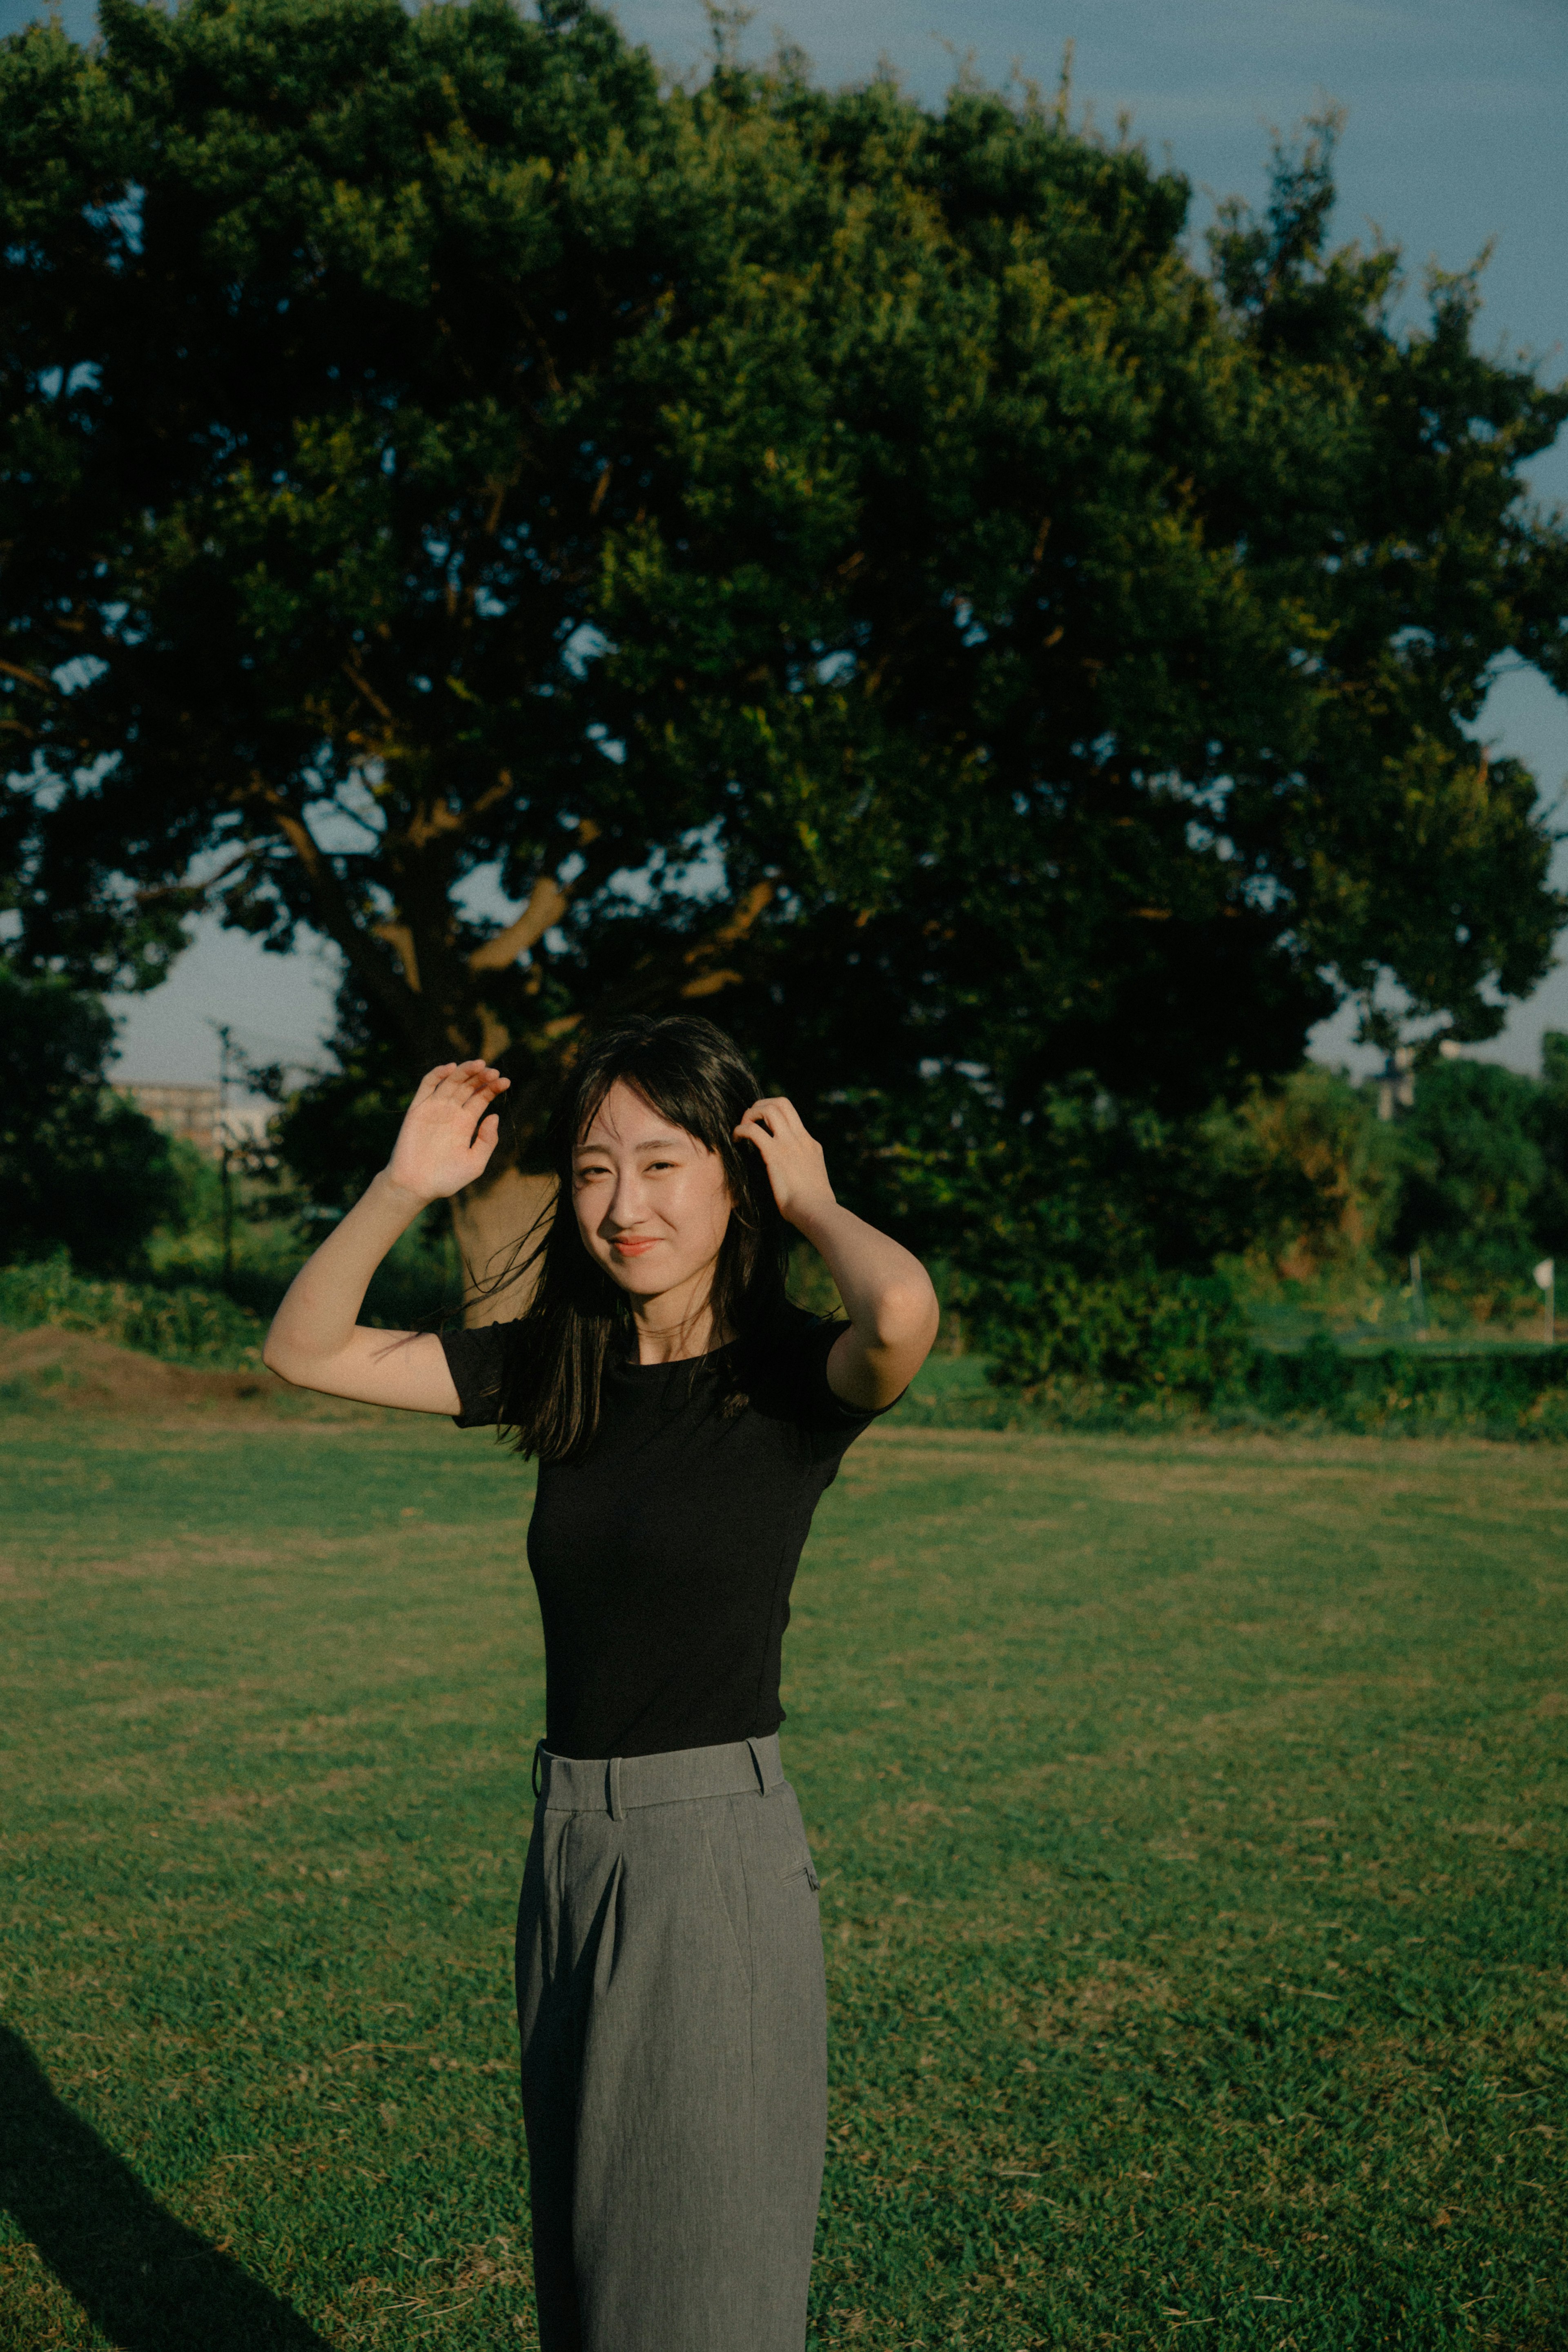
point(812, 559)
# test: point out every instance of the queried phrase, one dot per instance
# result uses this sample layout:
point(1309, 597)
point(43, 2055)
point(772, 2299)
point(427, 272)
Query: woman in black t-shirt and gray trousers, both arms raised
point(685, 1422)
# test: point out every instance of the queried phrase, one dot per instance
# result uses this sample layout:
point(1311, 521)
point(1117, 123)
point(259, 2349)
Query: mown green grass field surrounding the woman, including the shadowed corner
point(1191, 1822)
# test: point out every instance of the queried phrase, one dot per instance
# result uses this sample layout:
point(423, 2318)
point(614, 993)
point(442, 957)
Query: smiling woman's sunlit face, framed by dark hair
point(650, 1201)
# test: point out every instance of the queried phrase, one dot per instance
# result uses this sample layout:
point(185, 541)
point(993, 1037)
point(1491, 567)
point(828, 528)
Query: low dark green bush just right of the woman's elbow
point(1146, 1335)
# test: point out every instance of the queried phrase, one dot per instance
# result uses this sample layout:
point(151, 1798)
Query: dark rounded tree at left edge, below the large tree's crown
point(79, 1165)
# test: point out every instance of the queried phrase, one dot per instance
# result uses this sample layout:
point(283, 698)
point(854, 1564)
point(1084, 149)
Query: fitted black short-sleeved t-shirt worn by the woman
point(666, 1553)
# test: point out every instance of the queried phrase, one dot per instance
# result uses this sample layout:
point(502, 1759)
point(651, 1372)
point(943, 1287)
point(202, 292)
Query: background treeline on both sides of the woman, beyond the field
point(1301, 1187)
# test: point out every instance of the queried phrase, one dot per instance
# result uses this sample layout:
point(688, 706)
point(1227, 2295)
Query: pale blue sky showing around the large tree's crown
point(1456, 138)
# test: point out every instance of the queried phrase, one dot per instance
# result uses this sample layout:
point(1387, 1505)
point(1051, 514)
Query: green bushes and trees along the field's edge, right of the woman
point(1057, 1220)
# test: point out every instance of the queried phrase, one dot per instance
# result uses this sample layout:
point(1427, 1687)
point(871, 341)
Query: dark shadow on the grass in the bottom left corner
point(147, 2280)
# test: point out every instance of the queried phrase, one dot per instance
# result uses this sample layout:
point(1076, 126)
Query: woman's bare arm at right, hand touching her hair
point(887, 1292)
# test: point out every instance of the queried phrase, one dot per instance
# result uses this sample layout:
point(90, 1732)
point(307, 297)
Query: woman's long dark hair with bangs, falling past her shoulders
point(577, 1318)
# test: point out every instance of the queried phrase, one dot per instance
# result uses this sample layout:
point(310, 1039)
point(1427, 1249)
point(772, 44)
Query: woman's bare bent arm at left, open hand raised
point(316, 1339)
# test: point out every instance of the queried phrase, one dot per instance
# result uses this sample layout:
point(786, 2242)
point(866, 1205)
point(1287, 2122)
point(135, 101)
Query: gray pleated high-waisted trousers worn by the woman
point(674, 2052)
